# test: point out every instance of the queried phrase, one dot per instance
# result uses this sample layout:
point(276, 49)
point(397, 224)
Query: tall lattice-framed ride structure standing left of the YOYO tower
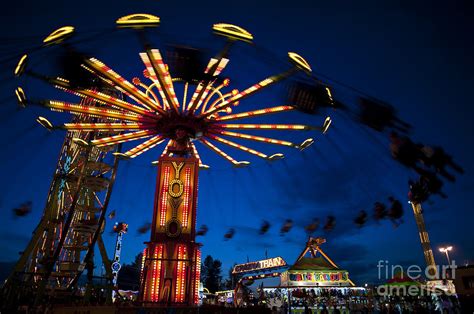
point(63, 242)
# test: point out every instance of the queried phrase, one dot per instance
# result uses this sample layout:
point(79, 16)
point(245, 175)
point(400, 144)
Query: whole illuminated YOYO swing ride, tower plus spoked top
point(152, 113)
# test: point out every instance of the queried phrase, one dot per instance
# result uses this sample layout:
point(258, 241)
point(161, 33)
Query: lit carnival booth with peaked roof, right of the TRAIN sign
point(316, 283)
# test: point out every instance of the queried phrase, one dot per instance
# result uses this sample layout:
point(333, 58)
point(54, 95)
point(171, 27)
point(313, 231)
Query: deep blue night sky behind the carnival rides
point(416, 56)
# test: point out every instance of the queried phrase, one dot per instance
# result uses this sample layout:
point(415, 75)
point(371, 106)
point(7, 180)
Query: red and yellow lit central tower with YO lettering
point(171, 262)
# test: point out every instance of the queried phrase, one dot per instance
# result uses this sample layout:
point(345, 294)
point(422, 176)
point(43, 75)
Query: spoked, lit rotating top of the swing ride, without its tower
point(154, 115)
